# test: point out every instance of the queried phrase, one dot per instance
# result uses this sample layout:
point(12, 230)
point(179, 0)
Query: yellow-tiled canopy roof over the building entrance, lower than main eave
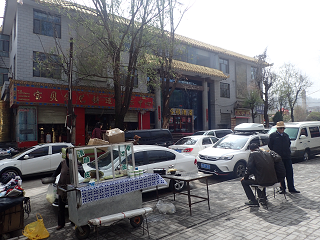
point(184, 66)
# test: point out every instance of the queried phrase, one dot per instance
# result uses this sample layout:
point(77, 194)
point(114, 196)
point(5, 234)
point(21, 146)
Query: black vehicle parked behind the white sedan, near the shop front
point(161, 137)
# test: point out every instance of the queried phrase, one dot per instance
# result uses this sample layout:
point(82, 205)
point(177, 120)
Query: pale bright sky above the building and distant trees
point(287, 28)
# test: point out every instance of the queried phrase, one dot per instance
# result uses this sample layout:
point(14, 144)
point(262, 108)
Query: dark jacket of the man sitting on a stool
point(261, 165)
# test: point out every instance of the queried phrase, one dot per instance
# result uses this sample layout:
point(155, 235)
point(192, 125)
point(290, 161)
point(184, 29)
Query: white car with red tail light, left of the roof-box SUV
point(193, 144)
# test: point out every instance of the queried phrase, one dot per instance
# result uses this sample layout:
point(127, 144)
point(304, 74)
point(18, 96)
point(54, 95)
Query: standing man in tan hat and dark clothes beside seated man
point(280, 142)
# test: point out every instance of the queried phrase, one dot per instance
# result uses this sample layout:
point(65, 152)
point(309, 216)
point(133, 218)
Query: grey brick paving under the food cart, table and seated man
point(227, 204)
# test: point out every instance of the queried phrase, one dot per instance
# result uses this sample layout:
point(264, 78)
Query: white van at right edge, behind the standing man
point(305, 138)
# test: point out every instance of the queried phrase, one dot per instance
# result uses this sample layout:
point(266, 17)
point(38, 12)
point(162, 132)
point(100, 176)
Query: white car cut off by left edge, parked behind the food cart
point(39, 159)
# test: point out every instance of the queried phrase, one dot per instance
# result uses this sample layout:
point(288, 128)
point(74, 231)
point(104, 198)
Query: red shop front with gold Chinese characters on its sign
point(41, 110)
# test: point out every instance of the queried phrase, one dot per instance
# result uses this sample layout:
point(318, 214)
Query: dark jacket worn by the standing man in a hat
point(280, 144)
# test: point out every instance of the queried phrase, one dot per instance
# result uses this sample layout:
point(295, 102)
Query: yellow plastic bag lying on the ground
point(36, 230)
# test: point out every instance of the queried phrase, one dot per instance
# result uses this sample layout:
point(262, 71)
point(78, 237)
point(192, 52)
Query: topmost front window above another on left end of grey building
point(46, 24)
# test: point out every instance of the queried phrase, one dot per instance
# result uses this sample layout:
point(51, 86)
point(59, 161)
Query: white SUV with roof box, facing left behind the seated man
point(230, 154)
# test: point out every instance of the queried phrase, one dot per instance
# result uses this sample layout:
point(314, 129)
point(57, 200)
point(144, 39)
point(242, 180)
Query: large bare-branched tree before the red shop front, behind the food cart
point(111, 40)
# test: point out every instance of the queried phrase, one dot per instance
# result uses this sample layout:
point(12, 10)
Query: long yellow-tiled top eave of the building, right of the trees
point(212, 48)
